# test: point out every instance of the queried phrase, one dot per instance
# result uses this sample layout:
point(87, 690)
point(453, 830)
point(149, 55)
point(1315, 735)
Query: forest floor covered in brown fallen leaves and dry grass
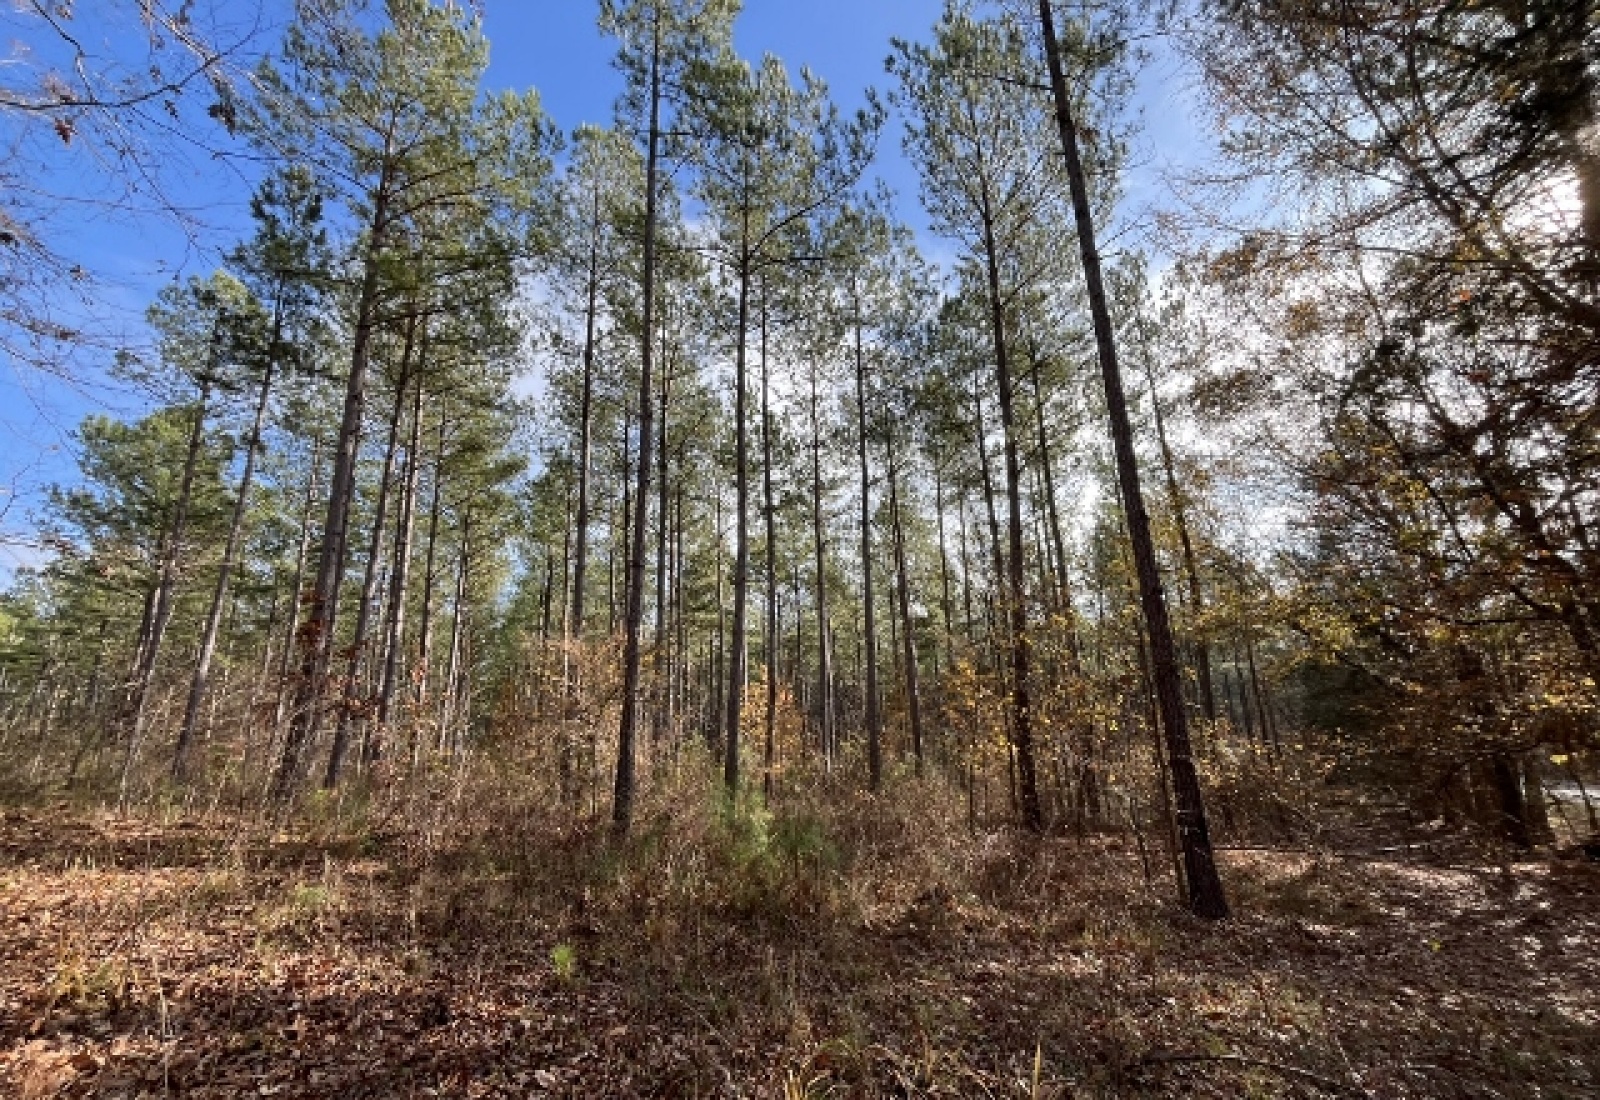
point(782, 957)
